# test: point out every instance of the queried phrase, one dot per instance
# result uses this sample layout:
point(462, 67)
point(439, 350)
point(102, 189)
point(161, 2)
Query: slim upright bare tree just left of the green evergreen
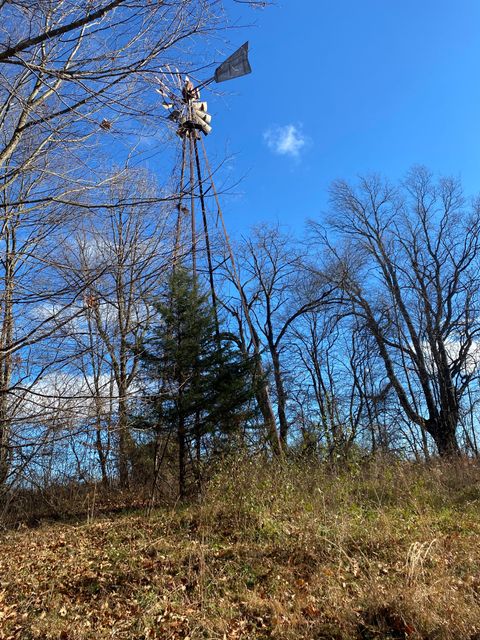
point(129, 247)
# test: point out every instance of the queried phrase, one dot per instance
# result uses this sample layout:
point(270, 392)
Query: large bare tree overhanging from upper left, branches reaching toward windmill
point(74, 76)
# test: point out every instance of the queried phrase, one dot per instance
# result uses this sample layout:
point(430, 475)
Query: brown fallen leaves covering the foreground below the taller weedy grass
point(133, 577)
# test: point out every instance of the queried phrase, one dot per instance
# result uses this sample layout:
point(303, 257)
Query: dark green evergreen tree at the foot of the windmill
point(204, 384)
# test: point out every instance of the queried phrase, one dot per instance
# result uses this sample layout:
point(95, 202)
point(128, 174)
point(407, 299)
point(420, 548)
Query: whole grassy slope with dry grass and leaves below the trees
point(390, 550)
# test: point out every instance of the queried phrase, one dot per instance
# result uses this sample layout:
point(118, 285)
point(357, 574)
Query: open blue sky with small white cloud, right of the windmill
point(341, 88)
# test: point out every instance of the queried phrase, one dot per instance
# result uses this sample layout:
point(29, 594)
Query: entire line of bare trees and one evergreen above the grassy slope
point(115, 367)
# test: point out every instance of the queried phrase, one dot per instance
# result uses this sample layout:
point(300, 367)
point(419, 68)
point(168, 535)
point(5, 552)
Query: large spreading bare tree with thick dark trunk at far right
point(406, 262)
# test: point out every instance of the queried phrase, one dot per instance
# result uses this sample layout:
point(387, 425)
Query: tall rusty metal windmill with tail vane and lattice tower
point(192, 121)
